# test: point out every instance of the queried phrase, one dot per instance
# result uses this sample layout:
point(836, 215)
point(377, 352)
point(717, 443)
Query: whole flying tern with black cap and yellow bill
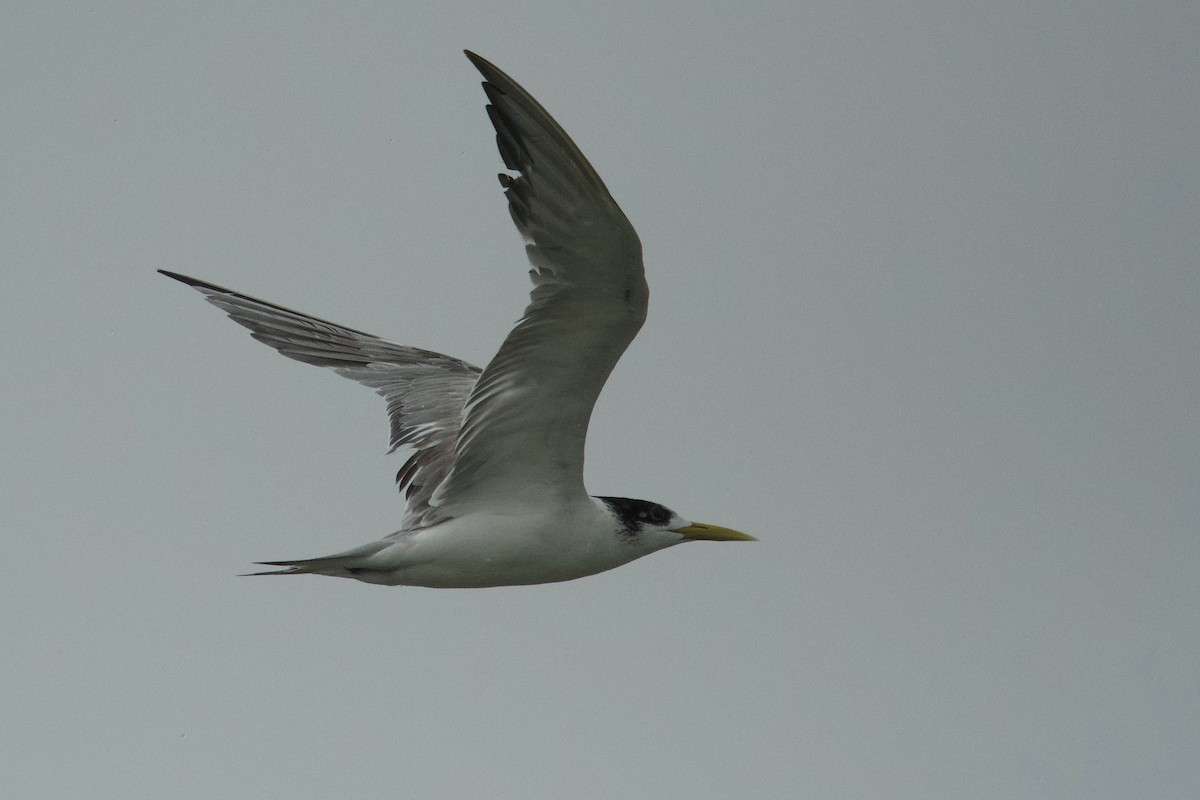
point(495, 483)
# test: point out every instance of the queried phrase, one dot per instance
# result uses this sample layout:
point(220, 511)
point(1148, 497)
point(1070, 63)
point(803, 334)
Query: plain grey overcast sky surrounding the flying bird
point(925, 318)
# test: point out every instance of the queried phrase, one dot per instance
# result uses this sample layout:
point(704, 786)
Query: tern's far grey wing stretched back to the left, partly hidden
point(425, 392)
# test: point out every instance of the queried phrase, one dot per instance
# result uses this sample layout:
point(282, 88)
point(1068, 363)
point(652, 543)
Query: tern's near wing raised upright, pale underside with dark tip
point(527, 417)
